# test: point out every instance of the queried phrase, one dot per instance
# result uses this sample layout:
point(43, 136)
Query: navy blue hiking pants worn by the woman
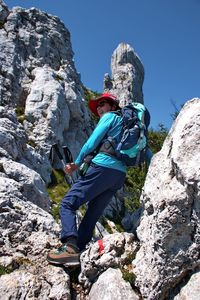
point(96, 187)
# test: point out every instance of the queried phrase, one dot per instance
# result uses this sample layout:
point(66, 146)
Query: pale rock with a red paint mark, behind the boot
point(116, 251)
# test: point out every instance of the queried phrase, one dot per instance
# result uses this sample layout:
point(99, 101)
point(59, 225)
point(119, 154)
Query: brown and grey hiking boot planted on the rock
point(66, 254)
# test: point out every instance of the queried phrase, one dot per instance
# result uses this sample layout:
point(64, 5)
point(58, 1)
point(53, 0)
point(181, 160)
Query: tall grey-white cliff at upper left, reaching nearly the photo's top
point(39, 77)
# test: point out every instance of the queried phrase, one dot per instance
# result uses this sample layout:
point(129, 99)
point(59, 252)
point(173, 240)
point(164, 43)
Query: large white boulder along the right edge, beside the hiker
point(169, 231)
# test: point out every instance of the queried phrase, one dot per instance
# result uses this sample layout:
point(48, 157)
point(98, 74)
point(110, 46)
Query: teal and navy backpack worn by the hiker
point(132, 144)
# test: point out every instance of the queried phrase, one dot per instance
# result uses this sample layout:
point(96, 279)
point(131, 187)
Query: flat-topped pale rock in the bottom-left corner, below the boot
point(28, 284)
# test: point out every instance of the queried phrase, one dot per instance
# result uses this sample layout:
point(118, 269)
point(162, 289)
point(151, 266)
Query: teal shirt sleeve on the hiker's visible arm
point(96, 137)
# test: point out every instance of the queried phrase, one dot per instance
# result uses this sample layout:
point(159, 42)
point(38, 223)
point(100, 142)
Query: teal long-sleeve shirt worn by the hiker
point(110, 124)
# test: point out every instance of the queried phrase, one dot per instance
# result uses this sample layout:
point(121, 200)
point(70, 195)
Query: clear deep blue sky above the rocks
point(164, 33)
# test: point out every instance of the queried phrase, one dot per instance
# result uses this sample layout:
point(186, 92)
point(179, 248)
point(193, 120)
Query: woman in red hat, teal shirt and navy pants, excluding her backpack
point(104, 177)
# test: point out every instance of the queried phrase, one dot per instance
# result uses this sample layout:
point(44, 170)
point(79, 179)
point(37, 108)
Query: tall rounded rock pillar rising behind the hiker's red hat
point(127, 75)
